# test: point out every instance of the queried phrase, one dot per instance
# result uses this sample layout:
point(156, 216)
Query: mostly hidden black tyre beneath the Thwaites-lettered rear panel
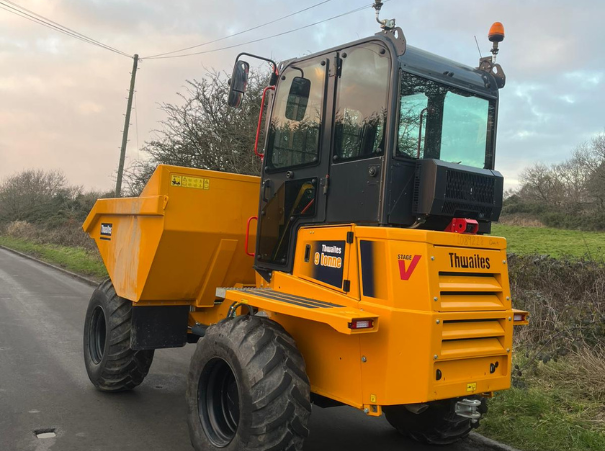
point(437, 425)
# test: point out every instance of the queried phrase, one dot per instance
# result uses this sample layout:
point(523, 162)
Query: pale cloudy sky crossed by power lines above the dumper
point(62, 101)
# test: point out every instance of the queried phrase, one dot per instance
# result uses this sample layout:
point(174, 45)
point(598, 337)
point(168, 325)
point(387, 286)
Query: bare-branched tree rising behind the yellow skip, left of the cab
point(204, 132)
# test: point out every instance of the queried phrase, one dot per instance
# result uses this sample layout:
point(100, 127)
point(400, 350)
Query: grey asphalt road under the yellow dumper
point(43, 382)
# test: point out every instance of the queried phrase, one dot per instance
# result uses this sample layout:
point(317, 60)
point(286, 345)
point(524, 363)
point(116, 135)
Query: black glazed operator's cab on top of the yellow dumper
point(376, 132)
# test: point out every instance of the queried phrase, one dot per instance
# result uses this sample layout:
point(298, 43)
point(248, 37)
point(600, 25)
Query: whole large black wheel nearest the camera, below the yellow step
point(247, 388)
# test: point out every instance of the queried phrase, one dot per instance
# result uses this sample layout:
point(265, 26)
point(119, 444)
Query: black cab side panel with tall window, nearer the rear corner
point(360, 134)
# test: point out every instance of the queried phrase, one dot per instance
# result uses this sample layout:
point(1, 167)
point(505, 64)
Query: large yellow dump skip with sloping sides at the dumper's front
point(180, 239)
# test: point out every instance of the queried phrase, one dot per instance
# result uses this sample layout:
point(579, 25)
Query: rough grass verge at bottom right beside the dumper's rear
point(551, 409)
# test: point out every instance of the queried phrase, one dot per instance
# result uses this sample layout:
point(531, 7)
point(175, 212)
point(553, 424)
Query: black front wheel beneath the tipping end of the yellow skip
point(110, 363)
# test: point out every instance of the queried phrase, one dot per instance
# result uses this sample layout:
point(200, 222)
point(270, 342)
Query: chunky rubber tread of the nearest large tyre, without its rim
point(279, 386)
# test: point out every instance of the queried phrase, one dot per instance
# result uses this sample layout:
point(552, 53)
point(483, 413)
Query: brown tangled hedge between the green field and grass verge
point(566, 301)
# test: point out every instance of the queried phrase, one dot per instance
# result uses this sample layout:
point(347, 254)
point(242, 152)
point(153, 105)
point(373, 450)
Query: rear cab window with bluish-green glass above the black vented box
point(438, 121)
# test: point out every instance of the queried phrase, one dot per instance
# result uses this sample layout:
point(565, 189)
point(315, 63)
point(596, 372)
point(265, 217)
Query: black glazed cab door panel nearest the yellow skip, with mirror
point(296, 160)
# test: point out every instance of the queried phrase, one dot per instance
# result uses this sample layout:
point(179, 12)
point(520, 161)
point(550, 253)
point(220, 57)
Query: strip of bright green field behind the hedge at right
point(553, 242)
